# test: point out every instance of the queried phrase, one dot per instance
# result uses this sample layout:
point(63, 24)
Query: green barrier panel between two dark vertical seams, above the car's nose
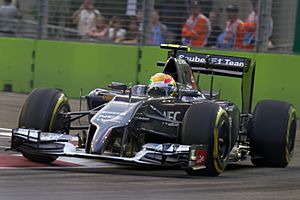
point(75, 66)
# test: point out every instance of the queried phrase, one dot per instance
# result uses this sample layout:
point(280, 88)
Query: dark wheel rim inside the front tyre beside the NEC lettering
point(223, 141)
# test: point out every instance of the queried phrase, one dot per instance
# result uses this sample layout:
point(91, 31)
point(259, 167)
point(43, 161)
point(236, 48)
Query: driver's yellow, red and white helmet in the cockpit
point(161, 85)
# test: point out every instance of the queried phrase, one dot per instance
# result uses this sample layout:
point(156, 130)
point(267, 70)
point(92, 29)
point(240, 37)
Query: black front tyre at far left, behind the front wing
point(42, 111)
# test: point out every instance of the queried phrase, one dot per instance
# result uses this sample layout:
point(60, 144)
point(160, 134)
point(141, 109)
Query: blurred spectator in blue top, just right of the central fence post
point(158, 30)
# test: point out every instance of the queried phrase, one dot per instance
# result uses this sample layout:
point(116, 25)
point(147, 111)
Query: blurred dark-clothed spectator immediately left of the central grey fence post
point(132, 34)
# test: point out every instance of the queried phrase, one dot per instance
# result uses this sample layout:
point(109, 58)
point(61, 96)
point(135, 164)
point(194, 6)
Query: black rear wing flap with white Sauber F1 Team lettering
point(216, 64)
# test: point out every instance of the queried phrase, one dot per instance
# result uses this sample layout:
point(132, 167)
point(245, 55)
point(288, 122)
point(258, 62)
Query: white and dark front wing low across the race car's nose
point(56, 144)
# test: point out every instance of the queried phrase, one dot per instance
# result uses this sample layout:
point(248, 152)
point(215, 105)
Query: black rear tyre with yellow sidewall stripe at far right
point(273, 133)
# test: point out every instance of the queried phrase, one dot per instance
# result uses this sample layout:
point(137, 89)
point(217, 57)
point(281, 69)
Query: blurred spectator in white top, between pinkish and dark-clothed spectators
point(115, 32)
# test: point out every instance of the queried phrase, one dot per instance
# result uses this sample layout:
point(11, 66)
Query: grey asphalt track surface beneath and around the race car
point(84, 179)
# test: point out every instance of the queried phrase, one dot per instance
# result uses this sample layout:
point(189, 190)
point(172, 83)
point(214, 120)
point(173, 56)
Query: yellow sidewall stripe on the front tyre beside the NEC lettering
point(216, 140)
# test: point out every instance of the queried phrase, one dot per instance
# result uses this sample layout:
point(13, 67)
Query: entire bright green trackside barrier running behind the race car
point(71, 66)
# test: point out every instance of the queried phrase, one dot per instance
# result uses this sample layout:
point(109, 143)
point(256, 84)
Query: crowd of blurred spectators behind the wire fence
point(200, 29)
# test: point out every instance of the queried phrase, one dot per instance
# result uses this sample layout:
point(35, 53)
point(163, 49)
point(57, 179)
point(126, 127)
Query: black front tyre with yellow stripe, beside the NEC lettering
point(208, 124)
